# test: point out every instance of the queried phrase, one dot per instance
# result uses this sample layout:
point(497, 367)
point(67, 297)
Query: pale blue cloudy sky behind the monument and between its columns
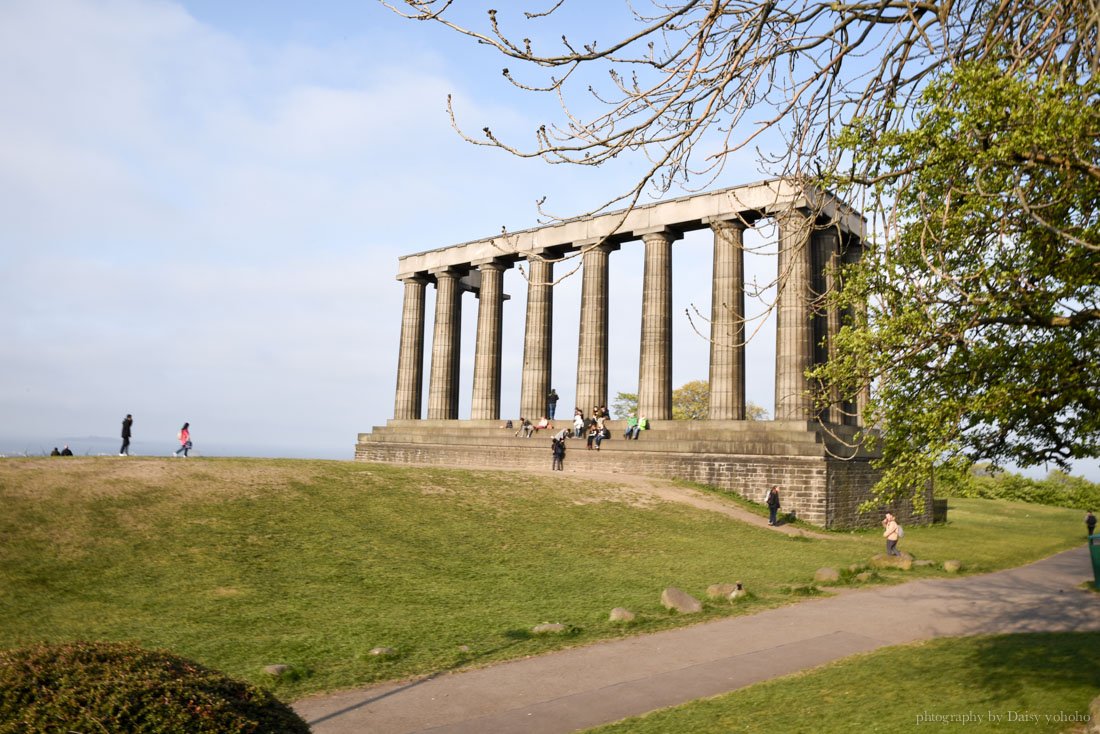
point(203, 204)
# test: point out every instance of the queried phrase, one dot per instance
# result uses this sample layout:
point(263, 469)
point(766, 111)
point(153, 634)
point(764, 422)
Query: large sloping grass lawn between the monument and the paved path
point(240, 564)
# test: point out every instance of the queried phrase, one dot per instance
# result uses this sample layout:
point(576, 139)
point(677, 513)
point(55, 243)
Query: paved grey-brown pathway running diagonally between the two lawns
point(585, 687)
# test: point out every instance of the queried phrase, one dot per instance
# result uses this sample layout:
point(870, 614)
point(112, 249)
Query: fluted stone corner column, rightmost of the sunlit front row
point(795, 313)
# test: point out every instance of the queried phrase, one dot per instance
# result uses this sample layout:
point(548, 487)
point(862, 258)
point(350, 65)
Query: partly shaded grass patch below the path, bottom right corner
point(1029, 683)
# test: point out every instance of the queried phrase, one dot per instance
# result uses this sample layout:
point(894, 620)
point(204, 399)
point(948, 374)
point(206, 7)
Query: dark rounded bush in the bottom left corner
point(111, 687)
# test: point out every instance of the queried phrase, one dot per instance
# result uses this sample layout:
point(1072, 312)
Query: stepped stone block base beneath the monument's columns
point(822, 479)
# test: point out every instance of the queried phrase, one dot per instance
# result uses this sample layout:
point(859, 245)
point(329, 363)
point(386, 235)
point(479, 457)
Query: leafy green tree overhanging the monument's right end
point(982, 327)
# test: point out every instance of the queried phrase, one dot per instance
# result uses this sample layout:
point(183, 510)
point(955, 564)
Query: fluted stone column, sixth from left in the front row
point(655, 367)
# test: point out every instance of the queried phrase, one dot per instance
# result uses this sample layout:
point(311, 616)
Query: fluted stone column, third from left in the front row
point(487, 397)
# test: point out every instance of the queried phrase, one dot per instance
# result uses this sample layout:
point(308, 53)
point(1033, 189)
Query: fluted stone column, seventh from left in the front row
point(728, 322)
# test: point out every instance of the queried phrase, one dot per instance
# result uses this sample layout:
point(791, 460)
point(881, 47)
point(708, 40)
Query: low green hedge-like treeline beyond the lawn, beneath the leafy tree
point(1058, 489)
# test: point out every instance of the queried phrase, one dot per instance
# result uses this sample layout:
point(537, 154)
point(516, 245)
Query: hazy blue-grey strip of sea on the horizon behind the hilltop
point(93, 446)
